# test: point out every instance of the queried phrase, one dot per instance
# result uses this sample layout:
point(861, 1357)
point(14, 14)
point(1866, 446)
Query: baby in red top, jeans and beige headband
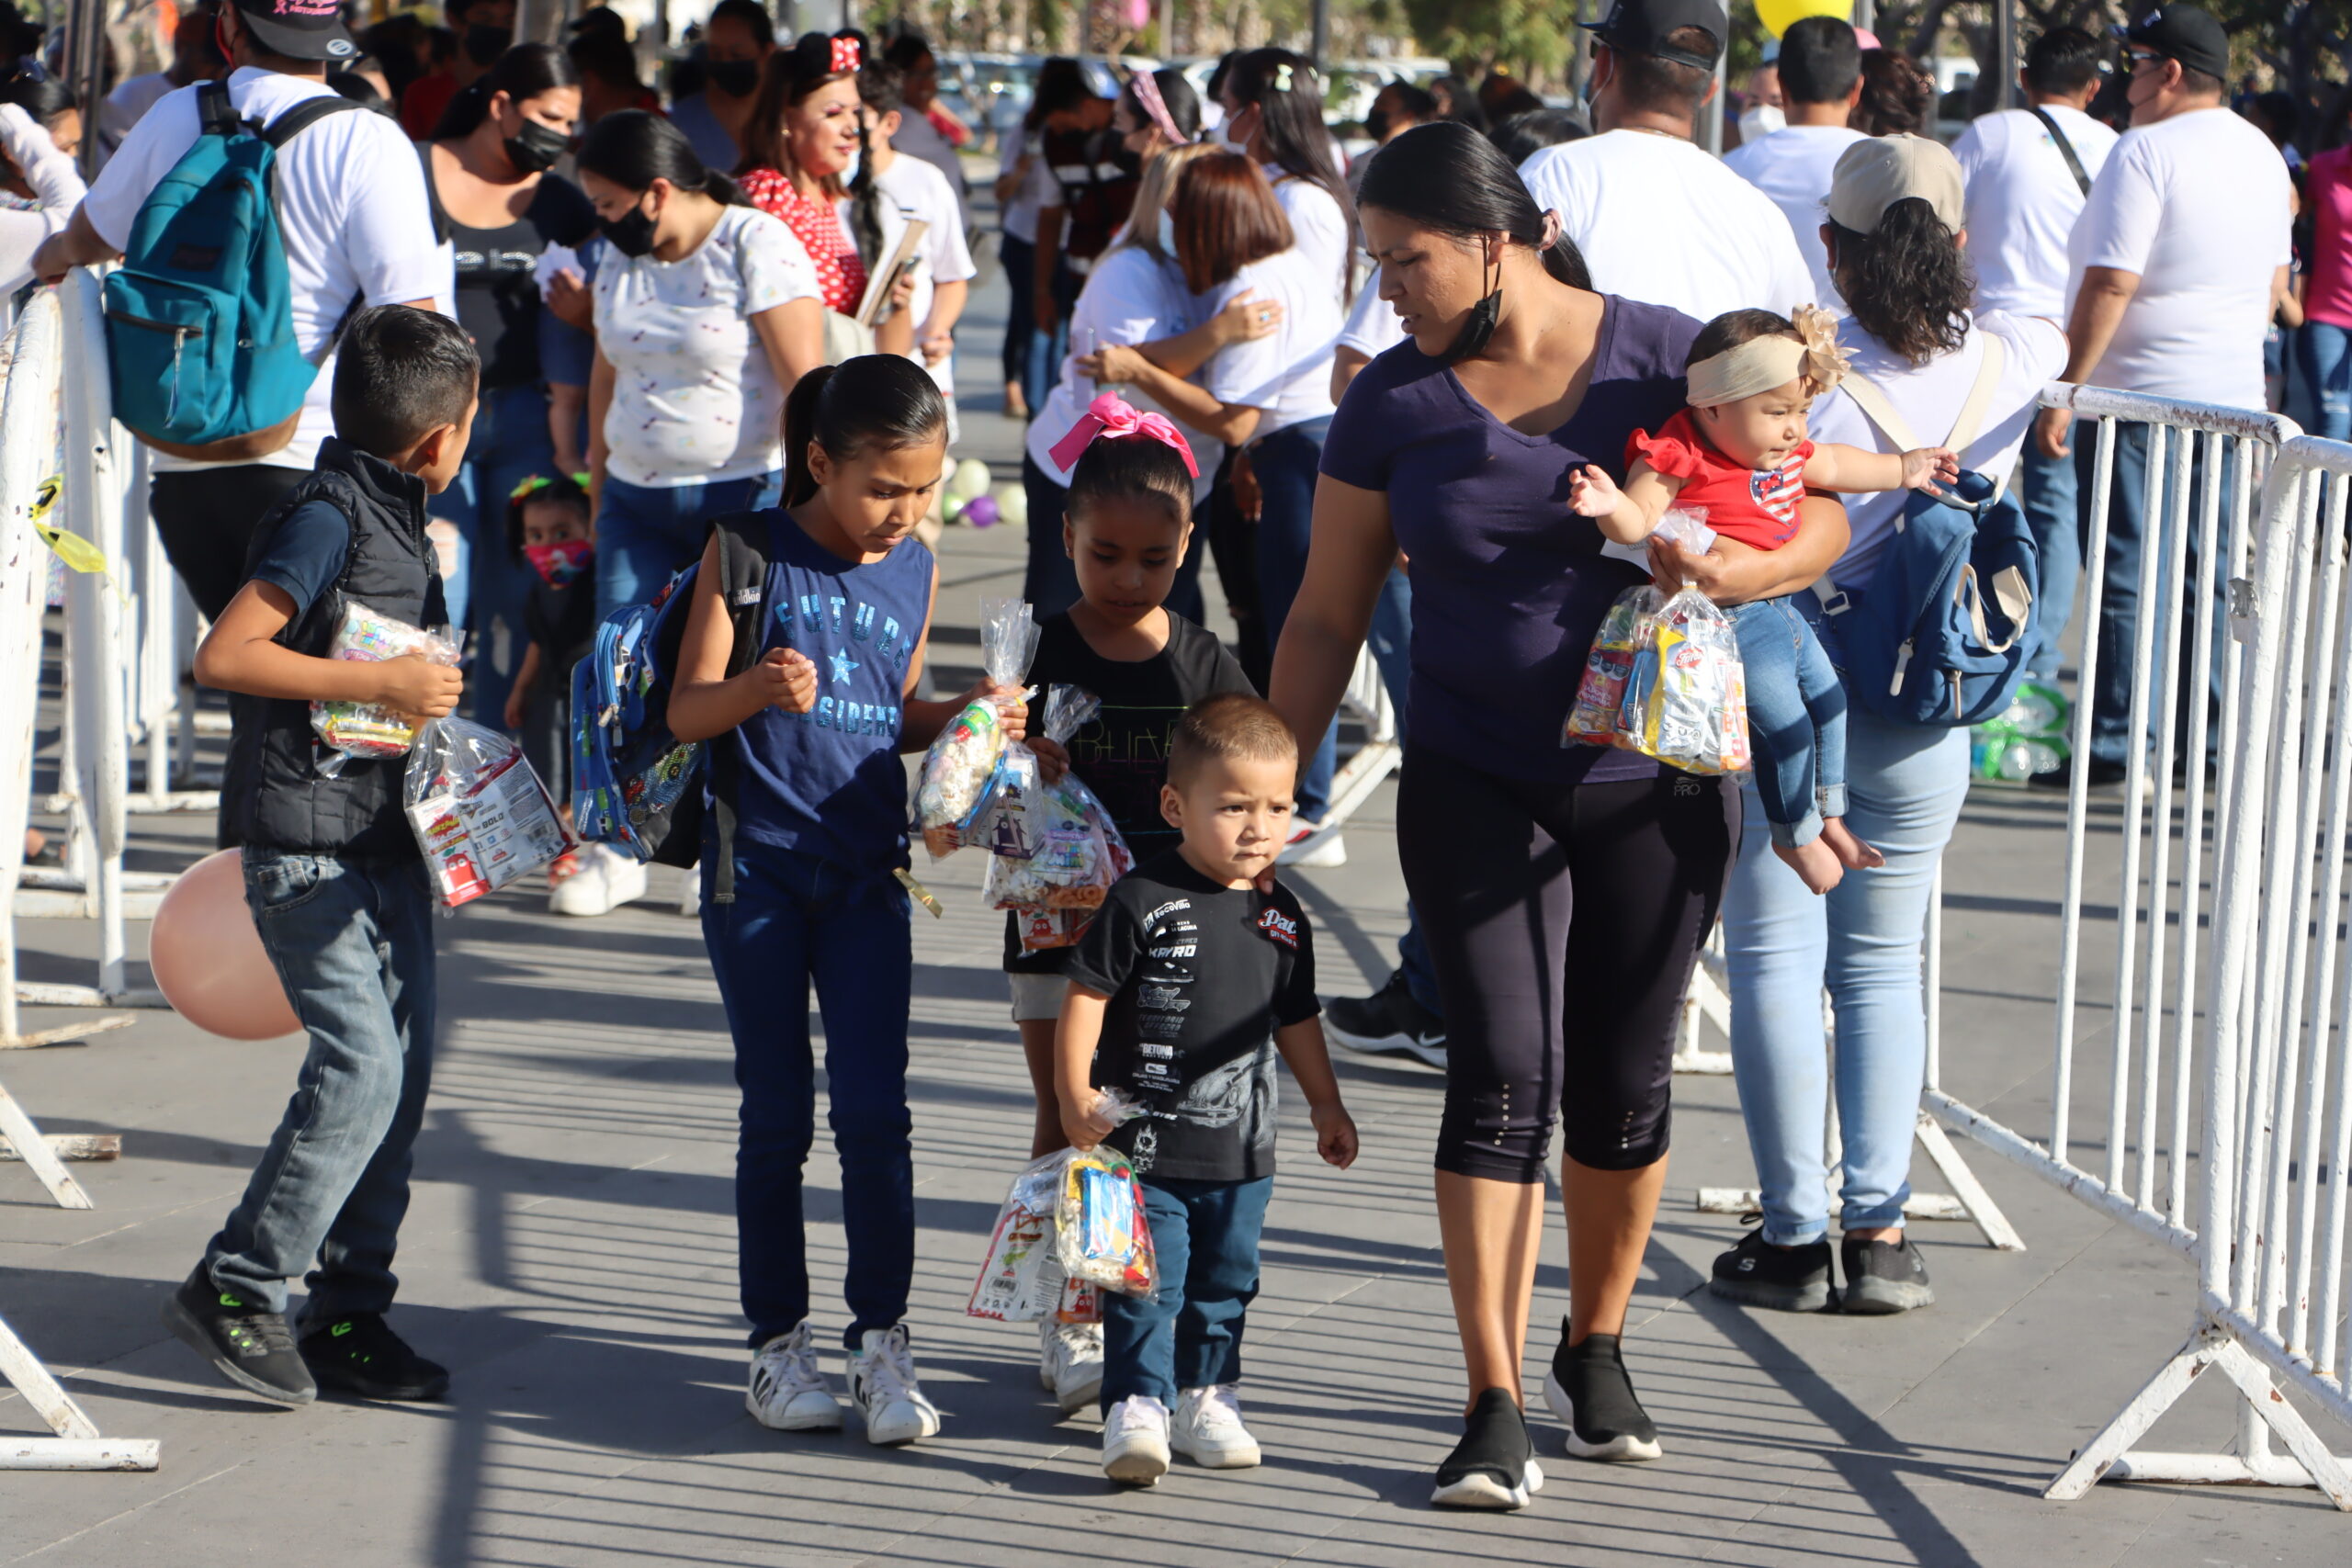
point(1739, 457)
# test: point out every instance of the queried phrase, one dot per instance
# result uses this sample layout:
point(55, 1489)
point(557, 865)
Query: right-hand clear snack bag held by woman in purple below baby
point(1688, 692)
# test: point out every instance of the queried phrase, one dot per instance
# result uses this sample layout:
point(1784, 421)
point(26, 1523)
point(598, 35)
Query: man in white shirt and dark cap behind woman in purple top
point(1655, 215)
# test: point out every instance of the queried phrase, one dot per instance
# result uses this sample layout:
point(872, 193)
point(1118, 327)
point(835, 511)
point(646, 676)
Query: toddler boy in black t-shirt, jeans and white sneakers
point(1180, 996)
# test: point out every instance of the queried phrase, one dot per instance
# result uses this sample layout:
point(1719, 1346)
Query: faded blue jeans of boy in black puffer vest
point(354, 946)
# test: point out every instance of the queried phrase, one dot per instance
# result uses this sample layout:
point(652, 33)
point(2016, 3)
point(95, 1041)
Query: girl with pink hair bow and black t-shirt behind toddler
point(1128, 528)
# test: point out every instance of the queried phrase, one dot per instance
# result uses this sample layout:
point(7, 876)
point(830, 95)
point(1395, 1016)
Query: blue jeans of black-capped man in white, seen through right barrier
point(2120, 608)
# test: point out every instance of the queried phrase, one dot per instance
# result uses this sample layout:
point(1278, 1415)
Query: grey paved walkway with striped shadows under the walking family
point(573, 1257)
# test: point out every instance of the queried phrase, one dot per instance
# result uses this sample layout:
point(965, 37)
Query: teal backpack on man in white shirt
point(199, 316)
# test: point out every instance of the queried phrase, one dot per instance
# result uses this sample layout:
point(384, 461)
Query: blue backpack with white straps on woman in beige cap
point(1946, 626)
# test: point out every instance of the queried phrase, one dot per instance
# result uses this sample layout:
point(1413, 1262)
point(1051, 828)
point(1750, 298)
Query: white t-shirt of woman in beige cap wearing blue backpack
point(1930, 398)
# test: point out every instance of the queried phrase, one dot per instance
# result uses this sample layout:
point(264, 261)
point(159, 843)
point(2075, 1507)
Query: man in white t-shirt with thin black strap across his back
point(2029, 173)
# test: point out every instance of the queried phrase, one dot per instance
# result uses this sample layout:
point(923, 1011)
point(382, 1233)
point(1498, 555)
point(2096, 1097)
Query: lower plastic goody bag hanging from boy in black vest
point(479, 812)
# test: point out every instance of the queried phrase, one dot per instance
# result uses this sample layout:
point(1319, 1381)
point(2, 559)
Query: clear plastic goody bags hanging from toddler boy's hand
point(1071, 1221)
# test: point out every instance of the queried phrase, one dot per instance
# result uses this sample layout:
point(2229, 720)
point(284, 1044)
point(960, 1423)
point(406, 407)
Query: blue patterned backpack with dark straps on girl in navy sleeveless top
point(634, 784)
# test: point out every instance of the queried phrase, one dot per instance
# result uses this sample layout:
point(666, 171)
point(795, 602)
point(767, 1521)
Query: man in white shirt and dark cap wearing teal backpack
point(356, 227)
